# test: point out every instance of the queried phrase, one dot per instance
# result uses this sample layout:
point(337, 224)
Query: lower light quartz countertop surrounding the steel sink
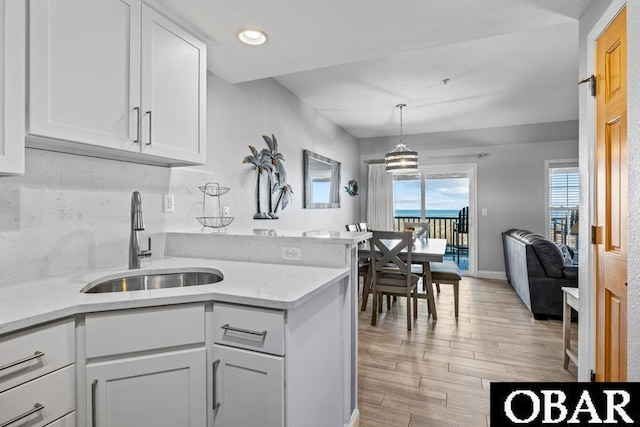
point(30, 302)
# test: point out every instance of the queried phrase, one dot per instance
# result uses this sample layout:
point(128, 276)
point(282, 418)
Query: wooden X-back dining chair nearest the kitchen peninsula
point(391, 275)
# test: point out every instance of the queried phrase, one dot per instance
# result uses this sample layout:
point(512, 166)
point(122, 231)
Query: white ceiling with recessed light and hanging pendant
point(508, 62)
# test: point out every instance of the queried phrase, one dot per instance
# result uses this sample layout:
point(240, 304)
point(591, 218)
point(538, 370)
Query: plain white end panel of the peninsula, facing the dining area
point(315, 360)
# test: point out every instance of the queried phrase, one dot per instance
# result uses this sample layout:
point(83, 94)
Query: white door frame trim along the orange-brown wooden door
point(587, 272)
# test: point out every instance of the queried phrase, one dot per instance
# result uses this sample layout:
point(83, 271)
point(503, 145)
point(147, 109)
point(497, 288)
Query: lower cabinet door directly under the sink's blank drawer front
point(167, 389)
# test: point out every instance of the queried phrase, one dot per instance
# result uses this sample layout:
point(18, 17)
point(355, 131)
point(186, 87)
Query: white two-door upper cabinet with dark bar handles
point(90, 70)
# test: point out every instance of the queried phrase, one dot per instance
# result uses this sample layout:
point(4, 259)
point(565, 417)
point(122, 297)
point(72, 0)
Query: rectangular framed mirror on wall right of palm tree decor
point(321, 181)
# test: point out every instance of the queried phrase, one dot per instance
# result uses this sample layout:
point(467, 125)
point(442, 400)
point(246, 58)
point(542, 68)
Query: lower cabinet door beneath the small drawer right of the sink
point(249, 387)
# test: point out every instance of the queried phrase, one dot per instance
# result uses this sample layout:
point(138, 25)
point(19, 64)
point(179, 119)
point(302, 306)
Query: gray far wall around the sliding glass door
point(511, 180)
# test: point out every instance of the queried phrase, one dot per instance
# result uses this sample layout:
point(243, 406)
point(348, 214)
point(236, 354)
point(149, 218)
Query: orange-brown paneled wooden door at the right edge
point(611, 202)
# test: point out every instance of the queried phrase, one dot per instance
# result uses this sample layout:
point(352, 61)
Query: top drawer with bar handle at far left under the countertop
point(55, 341)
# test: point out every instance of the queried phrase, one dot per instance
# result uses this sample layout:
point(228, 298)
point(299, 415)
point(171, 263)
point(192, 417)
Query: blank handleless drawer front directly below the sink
point(128, 331)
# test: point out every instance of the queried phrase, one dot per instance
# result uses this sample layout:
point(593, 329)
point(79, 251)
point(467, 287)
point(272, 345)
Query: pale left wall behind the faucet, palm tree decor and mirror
point(70, 213)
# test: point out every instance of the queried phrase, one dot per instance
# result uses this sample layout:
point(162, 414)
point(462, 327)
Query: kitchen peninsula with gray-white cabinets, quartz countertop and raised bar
point(304, 310)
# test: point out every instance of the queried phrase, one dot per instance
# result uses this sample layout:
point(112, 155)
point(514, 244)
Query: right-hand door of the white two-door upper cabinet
point(173, 90)
